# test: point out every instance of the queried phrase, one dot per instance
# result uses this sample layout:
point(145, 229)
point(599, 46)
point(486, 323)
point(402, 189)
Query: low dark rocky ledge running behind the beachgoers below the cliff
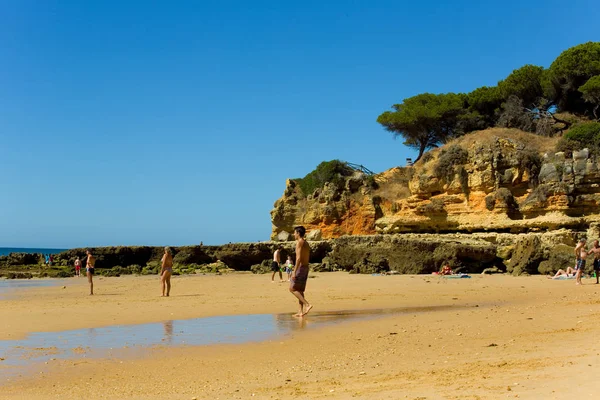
point(403, 253)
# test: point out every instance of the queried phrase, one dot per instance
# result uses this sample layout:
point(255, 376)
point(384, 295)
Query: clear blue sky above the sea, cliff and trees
point(175, 122)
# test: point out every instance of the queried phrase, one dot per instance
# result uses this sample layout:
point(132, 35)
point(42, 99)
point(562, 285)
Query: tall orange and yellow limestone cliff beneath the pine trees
point(498, 180)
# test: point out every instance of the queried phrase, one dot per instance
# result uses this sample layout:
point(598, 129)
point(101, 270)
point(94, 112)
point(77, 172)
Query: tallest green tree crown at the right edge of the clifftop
point(572, 69)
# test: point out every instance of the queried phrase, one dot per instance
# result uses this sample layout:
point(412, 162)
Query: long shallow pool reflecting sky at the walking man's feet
point(101, 342)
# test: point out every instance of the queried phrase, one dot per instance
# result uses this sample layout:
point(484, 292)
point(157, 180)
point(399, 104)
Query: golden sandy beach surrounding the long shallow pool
point(500, 337)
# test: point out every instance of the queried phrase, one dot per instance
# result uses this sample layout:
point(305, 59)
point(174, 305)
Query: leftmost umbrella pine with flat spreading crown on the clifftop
point(426, 120)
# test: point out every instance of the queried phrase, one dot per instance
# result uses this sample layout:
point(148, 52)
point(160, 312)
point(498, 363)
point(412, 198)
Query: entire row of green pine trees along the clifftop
point(527, 99)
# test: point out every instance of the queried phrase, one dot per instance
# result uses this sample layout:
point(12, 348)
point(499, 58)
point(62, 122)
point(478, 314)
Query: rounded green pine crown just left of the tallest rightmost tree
point(524, 83)
